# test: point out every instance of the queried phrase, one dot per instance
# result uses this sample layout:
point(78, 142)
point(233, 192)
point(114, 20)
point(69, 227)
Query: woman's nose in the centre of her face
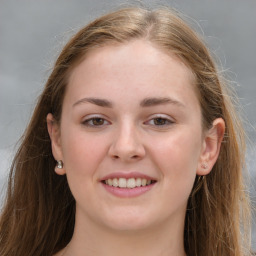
point(127, 144)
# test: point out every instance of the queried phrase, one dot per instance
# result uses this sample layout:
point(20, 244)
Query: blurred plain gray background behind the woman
point(33, 32)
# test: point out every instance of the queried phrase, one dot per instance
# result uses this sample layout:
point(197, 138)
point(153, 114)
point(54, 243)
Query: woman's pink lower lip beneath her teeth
point(128, 192)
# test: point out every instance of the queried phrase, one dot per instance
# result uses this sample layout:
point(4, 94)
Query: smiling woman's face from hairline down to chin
point(130, 137)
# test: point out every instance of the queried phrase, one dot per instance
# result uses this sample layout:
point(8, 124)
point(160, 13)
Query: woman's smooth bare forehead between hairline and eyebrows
point(137, 65)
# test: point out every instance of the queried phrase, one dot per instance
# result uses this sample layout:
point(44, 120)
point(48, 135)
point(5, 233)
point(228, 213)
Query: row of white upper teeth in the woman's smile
point(128, 183)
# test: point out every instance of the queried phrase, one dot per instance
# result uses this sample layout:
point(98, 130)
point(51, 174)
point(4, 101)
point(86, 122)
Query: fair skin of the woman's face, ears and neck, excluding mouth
point(127, 137)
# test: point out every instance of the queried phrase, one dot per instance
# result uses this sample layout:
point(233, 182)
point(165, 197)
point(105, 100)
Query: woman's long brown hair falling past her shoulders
point(39, 212)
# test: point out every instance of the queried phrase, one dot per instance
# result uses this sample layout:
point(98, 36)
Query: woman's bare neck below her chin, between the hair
point(90, 239)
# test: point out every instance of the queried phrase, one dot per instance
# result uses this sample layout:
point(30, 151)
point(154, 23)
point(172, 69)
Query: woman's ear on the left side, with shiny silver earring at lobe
point(54, 132)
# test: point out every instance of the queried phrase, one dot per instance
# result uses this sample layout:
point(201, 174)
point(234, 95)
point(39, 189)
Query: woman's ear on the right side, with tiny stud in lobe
point(211, 147)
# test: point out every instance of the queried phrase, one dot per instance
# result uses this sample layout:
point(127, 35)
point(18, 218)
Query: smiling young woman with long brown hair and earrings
point(145, 143)
